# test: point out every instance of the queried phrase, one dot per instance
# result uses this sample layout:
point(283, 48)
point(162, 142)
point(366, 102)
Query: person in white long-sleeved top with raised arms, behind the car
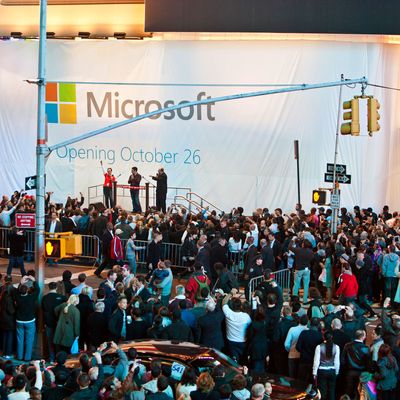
point(237, 322)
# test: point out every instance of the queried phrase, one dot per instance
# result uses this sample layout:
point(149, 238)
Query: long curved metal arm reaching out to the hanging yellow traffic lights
point(210, 100)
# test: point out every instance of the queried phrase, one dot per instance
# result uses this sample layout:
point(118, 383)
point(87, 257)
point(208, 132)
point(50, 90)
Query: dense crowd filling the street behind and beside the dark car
point(318, 336)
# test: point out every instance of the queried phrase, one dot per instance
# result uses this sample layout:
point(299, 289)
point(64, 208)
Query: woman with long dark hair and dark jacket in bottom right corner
point(387, 373)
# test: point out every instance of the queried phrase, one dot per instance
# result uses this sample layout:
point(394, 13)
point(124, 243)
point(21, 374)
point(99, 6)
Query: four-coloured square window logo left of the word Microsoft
point(61, 103)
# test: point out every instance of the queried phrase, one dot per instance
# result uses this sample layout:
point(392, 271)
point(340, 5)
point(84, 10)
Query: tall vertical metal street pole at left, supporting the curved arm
point(41, 151)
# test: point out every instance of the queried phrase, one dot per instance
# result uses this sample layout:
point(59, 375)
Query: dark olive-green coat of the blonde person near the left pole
point(68, 325)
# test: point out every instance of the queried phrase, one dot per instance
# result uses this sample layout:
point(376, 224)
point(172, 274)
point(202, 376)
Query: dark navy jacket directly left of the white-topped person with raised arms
point(210, 329)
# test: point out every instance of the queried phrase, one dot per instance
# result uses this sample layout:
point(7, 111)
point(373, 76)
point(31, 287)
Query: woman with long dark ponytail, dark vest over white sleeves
point(326, 367)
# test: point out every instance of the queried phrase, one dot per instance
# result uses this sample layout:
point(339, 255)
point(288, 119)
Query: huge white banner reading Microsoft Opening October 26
point(235, 153)
